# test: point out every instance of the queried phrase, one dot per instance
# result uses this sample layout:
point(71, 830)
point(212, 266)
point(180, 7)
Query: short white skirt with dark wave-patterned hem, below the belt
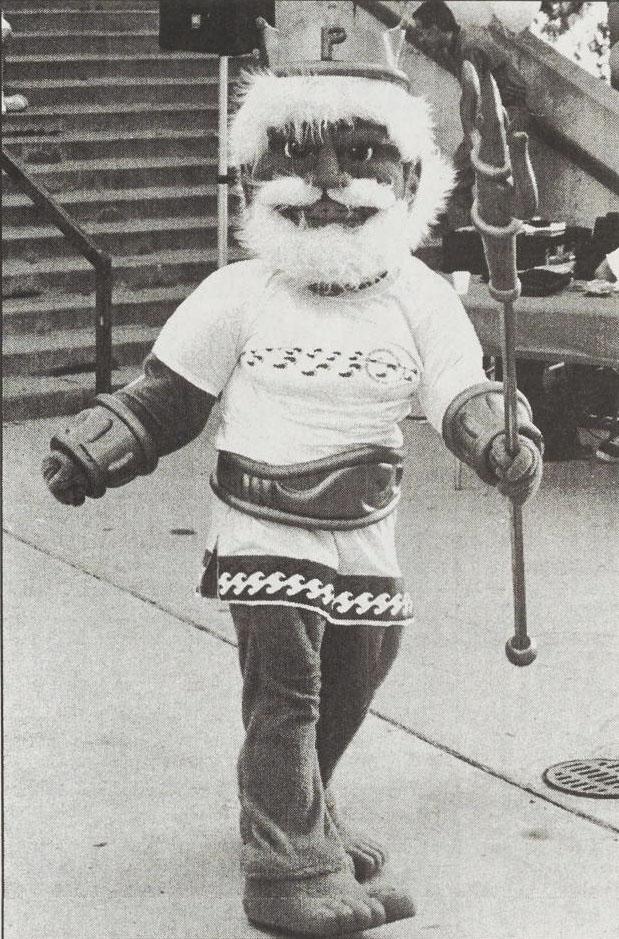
point(348, 577)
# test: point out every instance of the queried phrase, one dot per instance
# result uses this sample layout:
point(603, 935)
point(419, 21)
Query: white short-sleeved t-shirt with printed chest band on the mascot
point(302, 376)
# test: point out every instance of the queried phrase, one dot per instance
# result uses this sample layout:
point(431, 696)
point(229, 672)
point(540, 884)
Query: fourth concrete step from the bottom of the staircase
point(75, 275)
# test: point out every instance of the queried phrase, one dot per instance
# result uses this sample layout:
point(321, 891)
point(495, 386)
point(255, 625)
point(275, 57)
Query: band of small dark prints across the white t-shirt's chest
point(386, 366)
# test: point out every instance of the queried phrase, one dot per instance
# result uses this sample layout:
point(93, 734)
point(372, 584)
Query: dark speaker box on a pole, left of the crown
point(218, 27)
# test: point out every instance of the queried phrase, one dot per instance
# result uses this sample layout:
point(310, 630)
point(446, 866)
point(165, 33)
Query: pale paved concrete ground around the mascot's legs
point(122, 711)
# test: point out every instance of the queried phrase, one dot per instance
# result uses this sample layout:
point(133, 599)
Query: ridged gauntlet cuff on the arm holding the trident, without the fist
point(473, 421)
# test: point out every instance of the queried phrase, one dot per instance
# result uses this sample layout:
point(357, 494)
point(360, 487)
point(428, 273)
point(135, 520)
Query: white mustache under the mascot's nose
point(293, 191)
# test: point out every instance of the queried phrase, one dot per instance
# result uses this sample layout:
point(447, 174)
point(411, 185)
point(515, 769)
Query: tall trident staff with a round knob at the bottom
point(506, 193)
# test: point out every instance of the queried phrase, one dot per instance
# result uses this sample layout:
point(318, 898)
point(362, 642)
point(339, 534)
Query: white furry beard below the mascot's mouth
point(332, 253)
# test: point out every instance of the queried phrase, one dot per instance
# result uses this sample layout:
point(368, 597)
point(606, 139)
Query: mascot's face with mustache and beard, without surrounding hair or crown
point(330, 206)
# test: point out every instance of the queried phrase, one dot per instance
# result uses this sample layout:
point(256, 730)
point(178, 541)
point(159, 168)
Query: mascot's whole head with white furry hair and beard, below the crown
point(341, 176)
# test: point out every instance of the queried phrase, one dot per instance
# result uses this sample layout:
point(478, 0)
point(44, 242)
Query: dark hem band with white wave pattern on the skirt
point(341, 598)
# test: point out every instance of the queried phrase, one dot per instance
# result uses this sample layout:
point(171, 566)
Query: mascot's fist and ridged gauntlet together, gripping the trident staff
point(474, 429)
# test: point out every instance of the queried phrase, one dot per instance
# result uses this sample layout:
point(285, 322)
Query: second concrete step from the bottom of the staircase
point(73, 350)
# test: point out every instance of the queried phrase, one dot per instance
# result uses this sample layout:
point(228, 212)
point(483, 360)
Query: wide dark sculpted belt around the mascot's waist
point(345, 491)
